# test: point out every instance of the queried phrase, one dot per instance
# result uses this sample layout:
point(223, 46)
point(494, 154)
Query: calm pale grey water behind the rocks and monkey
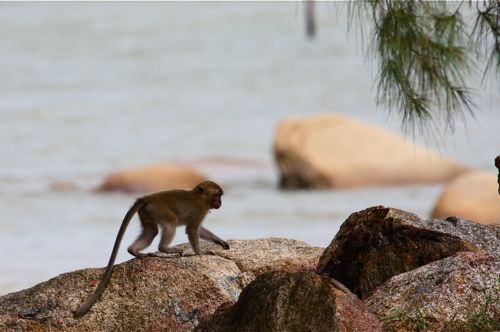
point(88, 88)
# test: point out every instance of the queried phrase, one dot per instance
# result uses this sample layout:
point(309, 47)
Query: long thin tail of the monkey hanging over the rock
point(82, 310)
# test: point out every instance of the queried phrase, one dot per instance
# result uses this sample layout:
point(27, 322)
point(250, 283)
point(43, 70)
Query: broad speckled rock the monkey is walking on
point(153, 294)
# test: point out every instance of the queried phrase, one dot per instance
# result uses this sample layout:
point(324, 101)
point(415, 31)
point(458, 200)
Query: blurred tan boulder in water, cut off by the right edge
point(471, 196)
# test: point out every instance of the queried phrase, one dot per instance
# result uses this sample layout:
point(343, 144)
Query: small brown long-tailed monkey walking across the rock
point(167, 209)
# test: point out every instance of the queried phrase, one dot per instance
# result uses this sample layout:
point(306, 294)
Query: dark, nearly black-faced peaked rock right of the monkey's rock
point(378, 243)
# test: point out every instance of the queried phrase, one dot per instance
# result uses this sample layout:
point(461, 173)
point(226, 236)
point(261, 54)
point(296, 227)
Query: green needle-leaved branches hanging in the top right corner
point(426, 51)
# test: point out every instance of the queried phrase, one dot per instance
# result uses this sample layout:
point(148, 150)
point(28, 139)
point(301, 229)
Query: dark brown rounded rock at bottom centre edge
point(291, 301)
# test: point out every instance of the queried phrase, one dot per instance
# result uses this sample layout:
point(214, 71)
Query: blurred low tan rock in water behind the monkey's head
point(152, 178)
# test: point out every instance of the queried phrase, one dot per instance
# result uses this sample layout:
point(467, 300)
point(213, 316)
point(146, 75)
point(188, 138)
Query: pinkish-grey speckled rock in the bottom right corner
point(450, 291)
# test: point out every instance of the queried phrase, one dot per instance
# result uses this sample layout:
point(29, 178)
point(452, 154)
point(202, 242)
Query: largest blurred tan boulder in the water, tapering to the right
point(332, 151)
